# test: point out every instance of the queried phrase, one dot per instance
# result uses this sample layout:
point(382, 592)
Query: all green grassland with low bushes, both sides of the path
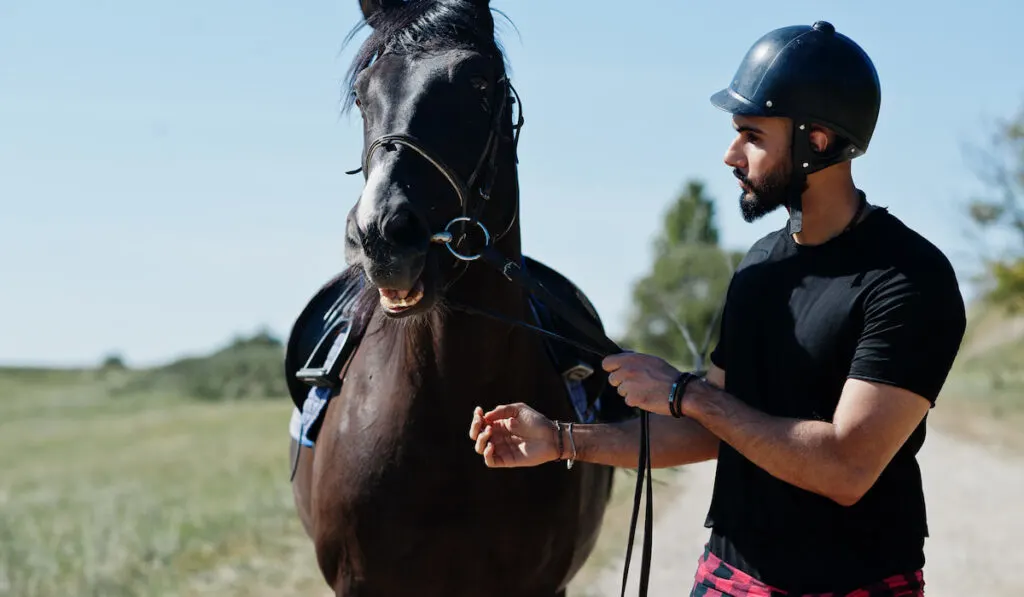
point(175, 482)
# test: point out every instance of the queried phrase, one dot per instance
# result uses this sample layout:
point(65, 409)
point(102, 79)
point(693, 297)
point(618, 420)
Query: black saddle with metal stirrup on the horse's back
point(329, 329)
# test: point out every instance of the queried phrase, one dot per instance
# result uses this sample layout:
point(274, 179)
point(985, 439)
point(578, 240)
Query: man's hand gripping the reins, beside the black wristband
point(645, 381)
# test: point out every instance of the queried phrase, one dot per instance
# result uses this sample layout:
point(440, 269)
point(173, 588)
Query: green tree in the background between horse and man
point(676, 307)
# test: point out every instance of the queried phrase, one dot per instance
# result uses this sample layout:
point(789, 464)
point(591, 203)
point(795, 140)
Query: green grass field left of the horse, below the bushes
point(143, 495)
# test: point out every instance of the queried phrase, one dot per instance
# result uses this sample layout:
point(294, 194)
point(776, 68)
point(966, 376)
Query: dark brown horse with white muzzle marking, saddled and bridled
point(390, 359)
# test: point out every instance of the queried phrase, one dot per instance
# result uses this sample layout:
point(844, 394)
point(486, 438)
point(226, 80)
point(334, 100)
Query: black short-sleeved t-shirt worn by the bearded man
point(880, 304)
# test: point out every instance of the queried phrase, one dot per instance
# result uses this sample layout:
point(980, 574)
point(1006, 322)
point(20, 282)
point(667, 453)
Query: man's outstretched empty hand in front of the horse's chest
point(515, 436)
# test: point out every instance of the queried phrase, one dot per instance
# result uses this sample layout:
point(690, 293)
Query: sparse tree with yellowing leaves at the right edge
point(1002, 169)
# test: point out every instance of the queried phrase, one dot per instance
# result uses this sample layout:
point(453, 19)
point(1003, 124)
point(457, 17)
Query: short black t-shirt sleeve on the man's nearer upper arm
point(911, 336)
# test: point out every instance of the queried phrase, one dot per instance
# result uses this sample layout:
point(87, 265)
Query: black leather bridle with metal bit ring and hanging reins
point(487, 172)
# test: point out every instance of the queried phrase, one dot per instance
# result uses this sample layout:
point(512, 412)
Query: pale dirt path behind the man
point(976, 515)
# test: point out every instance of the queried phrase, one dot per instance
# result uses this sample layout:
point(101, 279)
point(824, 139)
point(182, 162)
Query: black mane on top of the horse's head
point(419, 26)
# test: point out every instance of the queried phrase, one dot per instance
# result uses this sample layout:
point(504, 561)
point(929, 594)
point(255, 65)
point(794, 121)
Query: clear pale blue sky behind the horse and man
point(172, 175)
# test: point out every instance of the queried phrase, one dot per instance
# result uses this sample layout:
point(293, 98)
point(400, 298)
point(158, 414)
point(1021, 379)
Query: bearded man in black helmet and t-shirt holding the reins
point(838, 334)
